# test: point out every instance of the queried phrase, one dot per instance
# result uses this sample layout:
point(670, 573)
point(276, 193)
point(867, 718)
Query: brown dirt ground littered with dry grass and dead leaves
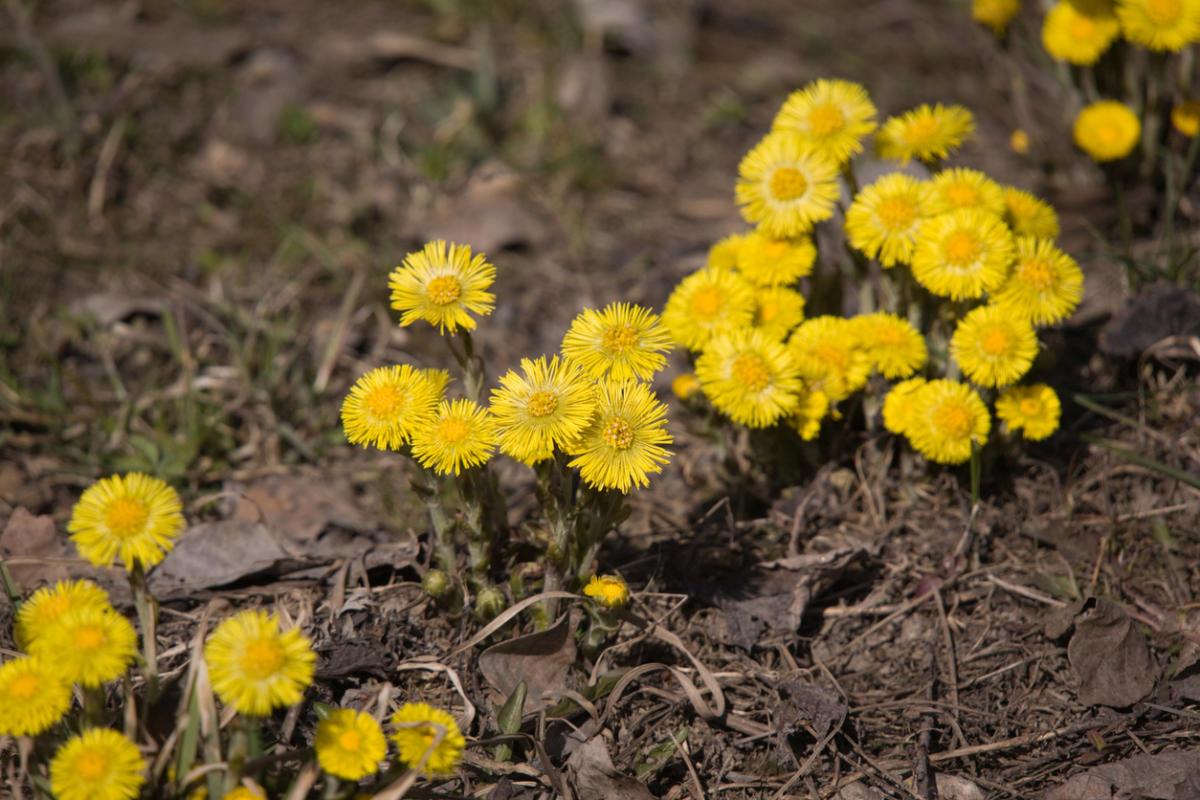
point(201, 202)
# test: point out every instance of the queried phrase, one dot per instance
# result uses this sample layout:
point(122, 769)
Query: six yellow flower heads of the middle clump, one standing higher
point(590, 402)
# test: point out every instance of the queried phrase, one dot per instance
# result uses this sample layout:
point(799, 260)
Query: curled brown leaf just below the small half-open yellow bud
point(542, 660)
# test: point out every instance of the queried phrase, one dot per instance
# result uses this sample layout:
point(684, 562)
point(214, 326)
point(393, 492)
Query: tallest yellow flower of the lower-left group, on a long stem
point(136, 518)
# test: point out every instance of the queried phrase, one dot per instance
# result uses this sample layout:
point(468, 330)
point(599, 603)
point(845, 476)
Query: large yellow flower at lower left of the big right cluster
point(749, 377)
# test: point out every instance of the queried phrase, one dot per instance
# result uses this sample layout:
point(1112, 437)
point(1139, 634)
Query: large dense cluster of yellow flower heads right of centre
point(986, 248)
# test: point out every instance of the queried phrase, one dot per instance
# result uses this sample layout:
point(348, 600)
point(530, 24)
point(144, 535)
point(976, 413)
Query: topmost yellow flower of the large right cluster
point(833, 116)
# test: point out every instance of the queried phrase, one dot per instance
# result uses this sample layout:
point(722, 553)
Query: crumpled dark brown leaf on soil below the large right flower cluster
point(776, 594)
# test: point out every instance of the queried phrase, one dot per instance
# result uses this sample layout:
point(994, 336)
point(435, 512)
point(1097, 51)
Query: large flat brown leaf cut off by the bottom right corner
point(1163, 777)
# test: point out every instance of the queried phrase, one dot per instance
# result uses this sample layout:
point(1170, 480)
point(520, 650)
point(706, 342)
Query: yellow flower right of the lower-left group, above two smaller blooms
point(255, 666)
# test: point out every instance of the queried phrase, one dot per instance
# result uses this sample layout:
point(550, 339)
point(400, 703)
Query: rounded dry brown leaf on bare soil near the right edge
point(1111, 657)
